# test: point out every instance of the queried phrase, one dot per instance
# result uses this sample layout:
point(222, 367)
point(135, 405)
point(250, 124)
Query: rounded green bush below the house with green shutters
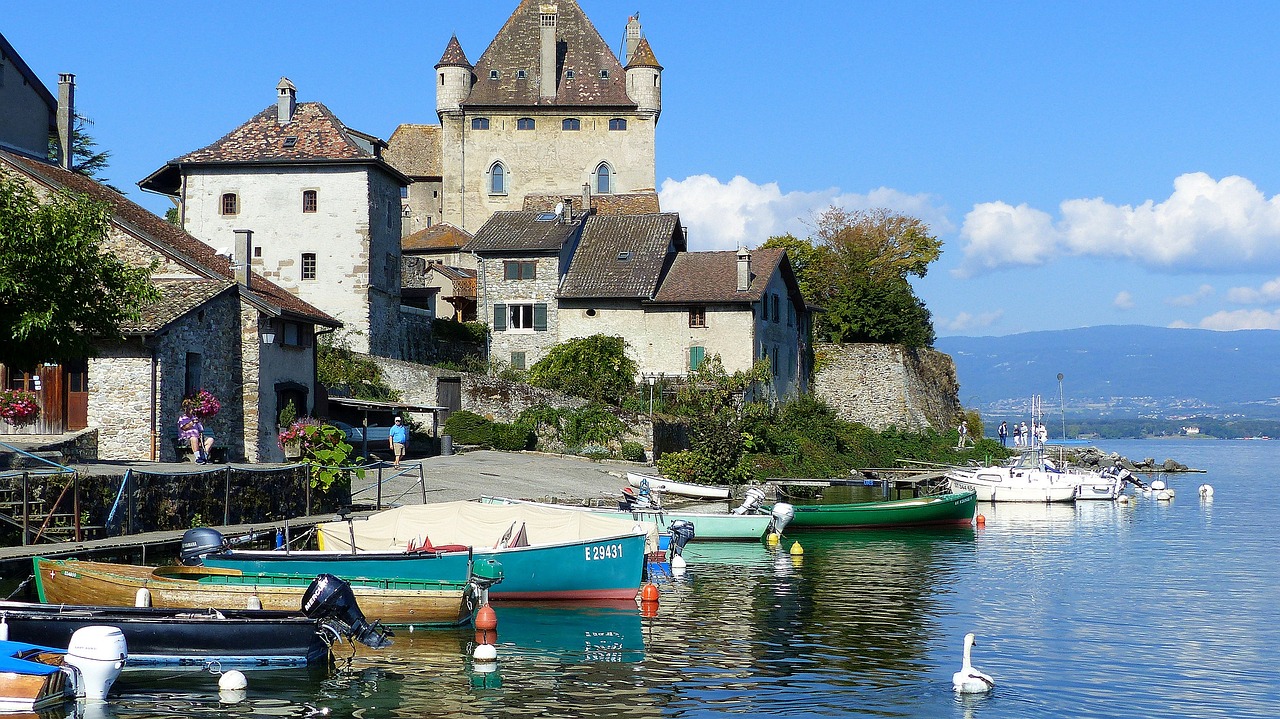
point(595, 368)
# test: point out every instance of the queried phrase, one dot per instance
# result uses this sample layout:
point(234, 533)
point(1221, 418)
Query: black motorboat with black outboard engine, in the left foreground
point(196, 639)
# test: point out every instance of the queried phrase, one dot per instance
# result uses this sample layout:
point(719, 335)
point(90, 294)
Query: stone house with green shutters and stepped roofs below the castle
point(547, 278)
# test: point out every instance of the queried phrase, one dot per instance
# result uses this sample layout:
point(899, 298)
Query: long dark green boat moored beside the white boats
point(917, 512)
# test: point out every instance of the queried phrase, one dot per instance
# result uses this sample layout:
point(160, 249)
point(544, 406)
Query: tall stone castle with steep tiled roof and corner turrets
point(547, 109)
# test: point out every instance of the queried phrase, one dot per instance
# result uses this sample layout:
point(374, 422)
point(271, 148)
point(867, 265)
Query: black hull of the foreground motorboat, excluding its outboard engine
point(244, 639)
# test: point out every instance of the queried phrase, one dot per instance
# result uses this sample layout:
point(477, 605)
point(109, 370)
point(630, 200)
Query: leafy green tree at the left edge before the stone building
point(60, 294)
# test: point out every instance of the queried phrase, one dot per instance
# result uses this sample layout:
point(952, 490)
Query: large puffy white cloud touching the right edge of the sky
point(1204, 225)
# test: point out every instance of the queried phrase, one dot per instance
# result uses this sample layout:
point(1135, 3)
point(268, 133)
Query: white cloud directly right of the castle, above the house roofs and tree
point(725, 216)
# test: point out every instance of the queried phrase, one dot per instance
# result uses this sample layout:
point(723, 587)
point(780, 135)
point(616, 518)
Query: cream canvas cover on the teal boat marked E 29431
point(482, 526)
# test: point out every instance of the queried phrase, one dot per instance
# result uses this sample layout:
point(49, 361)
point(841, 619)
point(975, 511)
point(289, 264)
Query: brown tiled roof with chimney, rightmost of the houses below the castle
point(712, 277)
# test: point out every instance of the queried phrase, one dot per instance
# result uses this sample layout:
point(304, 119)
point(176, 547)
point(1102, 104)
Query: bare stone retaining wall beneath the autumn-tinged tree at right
point(883, 386)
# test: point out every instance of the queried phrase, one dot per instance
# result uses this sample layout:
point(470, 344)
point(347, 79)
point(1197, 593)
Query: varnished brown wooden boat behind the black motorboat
point(441, 603)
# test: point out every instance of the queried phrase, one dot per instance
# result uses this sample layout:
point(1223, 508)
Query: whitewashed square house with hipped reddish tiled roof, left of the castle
point(322, 203)
